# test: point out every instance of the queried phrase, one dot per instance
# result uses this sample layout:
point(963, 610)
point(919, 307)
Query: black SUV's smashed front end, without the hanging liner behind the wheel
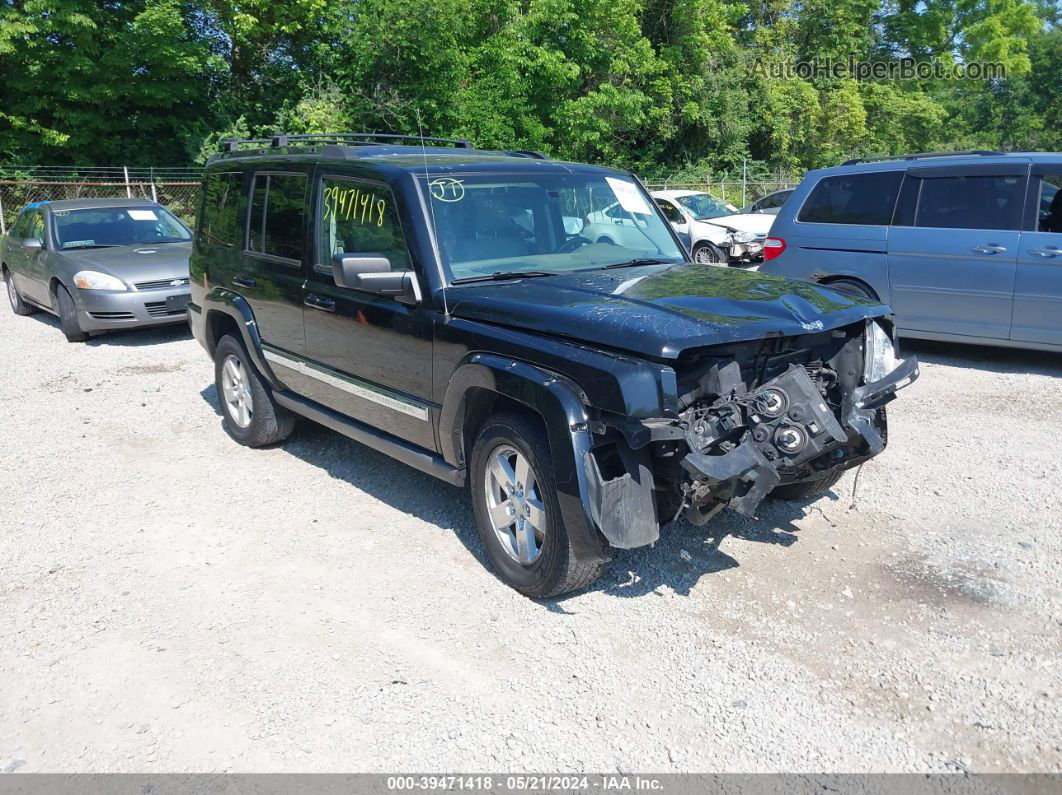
point(796, 411)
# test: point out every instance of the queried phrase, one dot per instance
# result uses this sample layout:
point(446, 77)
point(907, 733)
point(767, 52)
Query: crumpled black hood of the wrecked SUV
point(661, 312)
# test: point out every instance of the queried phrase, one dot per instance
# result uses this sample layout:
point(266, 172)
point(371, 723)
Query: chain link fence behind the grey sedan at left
point(177, 189)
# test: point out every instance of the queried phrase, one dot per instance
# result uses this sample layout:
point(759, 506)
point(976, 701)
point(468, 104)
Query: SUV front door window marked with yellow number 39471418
point(361, 218)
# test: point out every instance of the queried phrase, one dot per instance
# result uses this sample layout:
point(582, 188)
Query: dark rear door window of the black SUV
point(278, 213)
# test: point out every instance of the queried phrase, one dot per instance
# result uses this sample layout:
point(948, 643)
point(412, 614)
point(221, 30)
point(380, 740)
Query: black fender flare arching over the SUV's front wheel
point(560, 404)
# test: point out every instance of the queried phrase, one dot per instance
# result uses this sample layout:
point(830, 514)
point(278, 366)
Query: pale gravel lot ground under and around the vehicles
point(173, 601)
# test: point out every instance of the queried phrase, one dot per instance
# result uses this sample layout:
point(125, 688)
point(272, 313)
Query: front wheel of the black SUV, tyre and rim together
point(518, 511)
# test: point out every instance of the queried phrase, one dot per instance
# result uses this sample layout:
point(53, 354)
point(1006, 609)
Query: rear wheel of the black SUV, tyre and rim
point(250, 413)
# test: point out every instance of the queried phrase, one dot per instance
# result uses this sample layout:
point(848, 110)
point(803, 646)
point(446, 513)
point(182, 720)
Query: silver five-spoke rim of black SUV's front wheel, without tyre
point(515, 505)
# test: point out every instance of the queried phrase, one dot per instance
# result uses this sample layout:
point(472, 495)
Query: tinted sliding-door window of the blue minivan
point(991, 202)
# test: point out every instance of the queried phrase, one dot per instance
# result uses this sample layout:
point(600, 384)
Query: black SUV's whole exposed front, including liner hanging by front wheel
point(756, 417)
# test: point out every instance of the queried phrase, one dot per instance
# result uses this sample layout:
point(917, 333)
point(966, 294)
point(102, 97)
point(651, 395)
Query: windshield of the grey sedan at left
point(108, 227)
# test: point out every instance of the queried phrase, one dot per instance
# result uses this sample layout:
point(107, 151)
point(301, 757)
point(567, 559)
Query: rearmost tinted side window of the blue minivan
point(853, 199)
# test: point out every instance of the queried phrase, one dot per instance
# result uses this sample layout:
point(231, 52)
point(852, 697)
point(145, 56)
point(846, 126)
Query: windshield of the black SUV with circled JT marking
point(549, 223)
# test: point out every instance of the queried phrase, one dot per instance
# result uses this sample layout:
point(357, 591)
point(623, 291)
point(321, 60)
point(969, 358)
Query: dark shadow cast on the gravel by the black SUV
point(631, 574)
